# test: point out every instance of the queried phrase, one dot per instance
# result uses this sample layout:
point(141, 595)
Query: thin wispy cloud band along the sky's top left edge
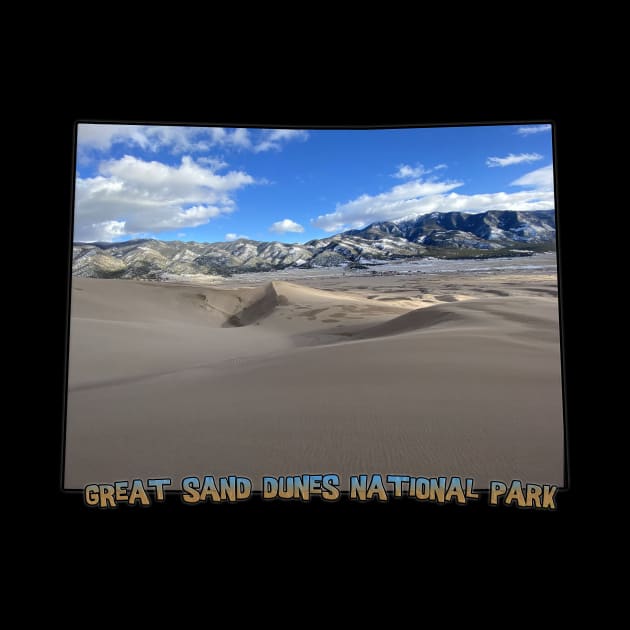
point(177, 140)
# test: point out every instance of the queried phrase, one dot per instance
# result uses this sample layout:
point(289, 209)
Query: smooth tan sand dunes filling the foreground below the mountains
point(280, 378)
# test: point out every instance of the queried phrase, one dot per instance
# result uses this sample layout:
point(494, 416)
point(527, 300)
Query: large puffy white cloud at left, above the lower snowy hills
point(131, 196)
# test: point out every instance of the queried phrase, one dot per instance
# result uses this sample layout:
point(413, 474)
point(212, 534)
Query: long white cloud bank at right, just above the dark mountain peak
point(416, 198)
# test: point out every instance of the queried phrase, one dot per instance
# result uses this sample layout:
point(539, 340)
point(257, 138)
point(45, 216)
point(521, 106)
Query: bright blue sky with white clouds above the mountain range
point(209, 184)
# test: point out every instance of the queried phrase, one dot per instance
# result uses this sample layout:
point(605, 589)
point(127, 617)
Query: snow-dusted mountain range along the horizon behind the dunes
point(439, 235)
